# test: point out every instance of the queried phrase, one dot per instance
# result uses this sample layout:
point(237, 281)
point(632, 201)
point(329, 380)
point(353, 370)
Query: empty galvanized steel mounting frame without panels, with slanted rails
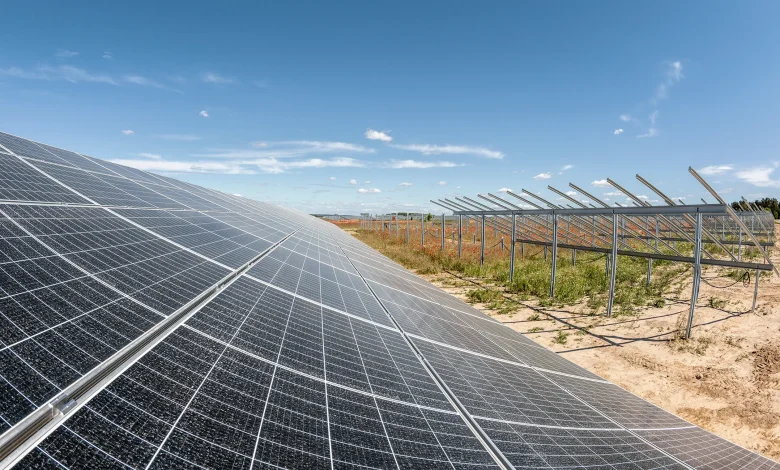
point(718, 235)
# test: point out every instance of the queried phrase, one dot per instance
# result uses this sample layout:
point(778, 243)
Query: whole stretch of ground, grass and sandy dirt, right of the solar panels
point(725, 379)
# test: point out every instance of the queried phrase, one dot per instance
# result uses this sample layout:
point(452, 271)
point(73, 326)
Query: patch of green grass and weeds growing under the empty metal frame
point(586, 281)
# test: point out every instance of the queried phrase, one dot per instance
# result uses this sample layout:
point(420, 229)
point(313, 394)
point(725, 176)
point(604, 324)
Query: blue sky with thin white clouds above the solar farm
point(359, 106)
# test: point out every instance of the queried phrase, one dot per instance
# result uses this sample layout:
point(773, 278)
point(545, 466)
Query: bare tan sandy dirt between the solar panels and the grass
point(726, 379)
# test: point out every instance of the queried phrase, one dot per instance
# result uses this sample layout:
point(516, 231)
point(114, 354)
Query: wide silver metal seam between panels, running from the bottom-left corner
point(25, 435)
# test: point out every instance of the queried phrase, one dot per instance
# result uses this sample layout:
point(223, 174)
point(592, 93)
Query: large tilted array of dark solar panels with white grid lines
point(150, 323)
